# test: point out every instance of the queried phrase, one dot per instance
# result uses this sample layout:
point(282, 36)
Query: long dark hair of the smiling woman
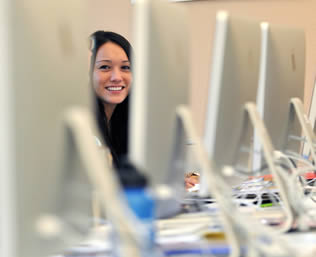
point(117, 137)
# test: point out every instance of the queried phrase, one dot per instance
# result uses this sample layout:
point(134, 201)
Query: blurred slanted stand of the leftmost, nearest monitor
point(80, 129)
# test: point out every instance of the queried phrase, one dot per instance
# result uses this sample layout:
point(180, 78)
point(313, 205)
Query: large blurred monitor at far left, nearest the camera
point(44, 70)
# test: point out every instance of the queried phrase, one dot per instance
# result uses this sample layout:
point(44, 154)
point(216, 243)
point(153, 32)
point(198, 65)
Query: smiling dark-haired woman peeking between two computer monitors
point(111, 77)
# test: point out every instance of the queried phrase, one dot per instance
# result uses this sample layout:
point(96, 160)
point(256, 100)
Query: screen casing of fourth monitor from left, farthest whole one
point(282, 76)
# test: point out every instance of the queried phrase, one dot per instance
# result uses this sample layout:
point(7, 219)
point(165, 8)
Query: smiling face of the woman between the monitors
point(112, 75)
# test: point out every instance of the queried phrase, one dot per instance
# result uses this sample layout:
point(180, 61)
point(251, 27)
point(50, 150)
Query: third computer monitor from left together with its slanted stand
point(231, 108)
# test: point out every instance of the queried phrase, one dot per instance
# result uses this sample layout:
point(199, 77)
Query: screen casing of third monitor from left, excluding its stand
point(233, 82)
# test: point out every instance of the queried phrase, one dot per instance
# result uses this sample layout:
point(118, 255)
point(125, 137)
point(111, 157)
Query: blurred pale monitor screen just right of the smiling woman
point(161, 83)
